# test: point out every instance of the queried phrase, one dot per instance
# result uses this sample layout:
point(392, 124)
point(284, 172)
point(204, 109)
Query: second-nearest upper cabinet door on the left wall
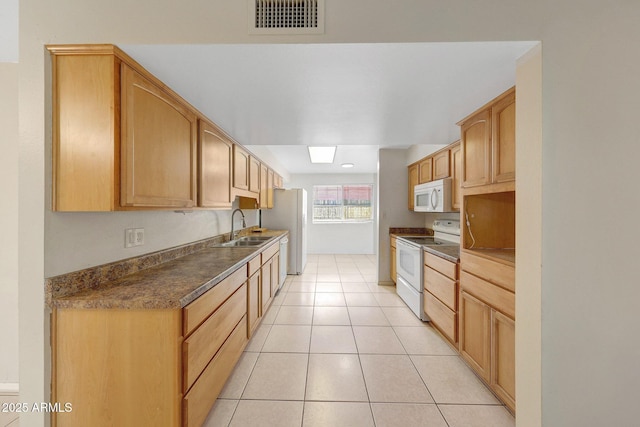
point(215, 168)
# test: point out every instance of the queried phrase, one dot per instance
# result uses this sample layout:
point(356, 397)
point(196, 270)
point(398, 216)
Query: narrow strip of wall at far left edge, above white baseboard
point(9, 226)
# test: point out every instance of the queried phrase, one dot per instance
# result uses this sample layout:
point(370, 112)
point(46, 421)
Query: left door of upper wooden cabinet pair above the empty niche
point(476, 150)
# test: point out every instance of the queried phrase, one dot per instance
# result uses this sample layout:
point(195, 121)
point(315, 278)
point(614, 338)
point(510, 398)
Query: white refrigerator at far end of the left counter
point(289, 212)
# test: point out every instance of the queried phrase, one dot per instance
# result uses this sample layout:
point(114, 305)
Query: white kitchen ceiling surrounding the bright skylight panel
point(359, 97)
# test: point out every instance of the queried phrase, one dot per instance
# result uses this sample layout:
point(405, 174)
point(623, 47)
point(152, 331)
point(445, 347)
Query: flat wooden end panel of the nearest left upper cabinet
point(85, 126)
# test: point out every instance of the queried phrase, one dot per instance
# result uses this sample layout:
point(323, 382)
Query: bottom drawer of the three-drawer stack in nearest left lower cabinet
point(198, 402)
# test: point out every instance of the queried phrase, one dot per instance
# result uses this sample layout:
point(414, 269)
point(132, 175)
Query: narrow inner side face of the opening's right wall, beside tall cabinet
point(528, 235)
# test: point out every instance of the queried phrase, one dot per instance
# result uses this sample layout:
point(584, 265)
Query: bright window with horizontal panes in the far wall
point(342, 203)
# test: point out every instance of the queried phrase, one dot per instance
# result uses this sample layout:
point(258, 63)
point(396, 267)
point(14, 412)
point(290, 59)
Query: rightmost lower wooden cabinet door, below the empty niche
point(503, 357)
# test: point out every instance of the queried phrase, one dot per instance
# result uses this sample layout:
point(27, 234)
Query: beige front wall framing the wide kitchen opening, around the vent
point(589, 113)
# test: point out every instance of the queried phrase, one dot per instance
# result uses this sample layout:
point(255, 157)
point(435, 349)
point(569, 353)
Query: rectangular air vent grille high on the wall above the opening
point(286, 16)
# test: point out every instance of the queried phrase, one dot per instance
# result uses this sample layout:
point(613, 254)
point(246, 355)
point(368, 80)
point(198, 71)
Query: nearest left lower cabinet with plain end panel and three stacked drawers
point(161, 367)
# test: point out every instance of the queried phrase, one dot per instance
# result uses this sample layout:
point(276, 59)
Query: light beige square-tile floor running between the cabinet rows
point(336, 349)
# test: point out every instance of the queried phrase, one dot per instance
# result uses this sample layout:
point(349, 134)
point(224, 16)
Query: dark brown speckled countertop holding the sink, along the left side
point(172, 284)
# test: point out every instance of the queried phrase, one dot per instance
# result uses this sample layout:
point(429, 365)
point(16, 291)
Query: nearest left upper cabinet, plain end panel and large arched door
point(121, 140)
